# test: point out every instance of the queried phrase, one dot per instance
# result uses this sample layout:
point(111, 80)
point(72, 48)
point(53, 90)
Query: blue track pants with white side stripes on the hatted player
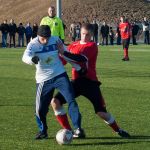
point(44, 95)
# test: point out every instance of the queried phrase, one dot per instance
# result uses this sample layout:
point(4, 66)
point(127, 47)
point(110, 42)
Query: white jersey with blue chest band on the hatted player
point(49, 65)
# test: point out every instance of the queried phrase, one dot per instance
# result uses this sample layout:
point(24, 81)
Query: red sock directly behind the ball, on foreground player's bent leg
point(63, 121)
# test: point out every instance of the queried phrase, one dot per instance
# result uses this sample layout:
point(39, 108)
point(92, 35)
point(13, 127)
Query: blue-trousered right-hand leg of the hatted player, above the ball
point(65, 88)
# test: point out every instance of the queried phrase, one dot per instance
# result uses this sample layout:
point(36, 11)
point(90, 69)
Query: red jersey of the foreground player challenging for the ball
point(89, 50)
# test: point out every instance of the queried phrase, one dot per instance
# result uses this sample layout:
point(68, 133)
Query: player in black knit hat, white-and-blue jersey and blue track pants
point(43, 51)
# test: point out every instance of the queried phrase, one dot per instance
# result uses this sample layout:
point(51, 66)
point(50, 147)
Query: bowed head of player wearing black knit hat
point(44, 34)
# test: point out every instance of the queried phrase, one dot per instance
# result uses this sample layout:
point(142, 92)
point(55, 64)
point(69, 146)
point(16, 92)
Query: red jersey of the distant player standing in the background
point(125, 30)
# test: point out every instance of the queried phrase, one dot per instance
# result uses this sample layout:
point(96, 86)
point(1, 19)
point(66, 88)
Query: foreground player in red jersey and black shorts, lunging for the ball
point(86, 83)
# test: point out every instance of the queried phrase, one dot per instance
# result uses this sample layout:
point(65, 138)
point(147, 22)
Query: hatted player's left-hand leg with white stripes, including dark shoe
point(43, 95)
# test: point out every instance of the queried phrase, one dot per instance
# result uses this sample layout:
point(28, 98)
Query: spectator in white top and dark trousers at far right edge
point(146, 27)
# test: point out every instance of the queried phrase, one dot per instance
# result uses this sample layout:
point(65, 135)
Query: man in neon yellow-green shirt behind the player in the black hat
point(54, 23)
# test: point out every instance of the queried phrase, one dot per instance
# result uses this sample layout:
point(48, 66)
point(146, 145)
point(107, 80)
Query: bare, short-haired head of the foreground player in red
point(86, 32)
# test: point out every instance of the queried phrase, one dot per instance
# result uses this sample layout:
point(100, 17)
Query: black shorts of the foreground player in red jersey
point(90, 89)
